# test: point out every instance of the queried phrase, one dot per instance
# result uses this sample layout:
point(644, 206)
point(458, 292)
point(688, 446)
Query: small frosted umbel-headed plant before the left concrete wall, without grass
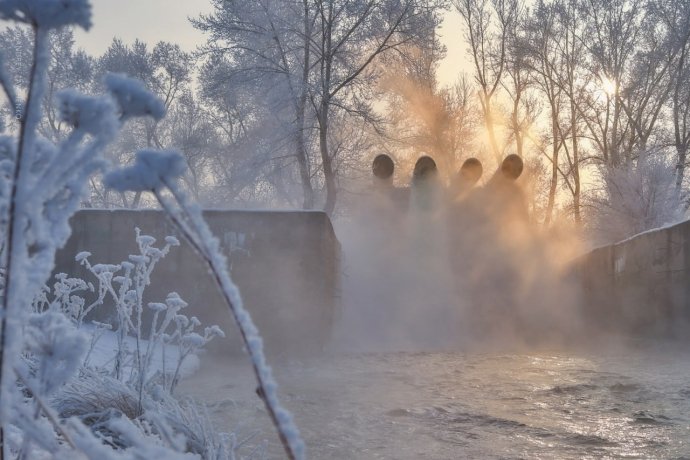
point(121, 286)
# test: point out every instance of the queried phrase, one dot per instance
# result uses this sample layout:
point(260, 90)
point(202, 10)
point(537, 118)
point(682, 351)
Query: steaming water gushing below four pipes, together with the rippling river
point(460, 336)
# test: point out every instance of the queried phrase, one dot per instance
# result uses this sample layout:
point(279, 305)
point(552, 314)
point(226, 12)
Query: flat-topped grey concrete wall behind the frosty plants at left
point(286, 265)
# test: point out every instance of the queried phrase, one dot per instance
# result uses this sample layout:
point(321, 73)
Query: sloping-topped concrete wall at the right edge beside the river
point(640, 285)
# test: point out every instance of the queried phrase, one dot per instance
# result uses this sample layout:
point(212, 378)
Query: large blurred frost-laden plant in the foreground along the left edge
point(41, 185)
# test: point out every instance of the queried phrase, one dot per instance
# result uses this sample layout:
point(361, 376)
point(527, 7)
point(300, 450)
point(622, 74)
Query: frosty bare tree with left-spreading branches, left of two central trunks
point(269, 46)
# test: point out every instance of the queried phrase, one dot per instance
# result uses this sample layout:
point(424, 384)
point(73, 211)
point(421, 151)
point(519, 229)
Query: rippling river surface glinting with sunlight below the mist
point(630, 403)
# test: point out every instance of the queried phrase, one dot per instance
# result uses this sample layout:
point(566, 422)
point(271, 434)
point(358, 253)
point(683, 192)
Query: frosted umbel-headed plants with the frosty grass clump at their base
point(135, 384)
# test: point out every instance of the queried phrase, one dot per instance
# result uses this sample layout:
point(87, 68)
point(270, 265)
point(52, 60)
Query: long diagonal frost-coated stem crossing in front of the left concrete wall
point(193, 228)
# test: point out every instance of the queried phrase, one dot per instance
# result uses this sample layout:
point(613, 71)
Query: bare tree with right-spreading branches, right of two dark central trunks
point(351, 35)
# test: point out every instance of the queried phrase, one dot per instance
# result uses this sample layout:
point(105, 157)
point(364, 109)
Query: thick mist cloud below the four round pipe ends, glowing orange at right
point(431, 267)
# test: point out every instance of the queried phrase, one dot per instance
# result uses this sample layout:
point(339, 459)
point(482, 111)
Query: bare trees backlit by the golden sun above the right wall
point(584, 86)
